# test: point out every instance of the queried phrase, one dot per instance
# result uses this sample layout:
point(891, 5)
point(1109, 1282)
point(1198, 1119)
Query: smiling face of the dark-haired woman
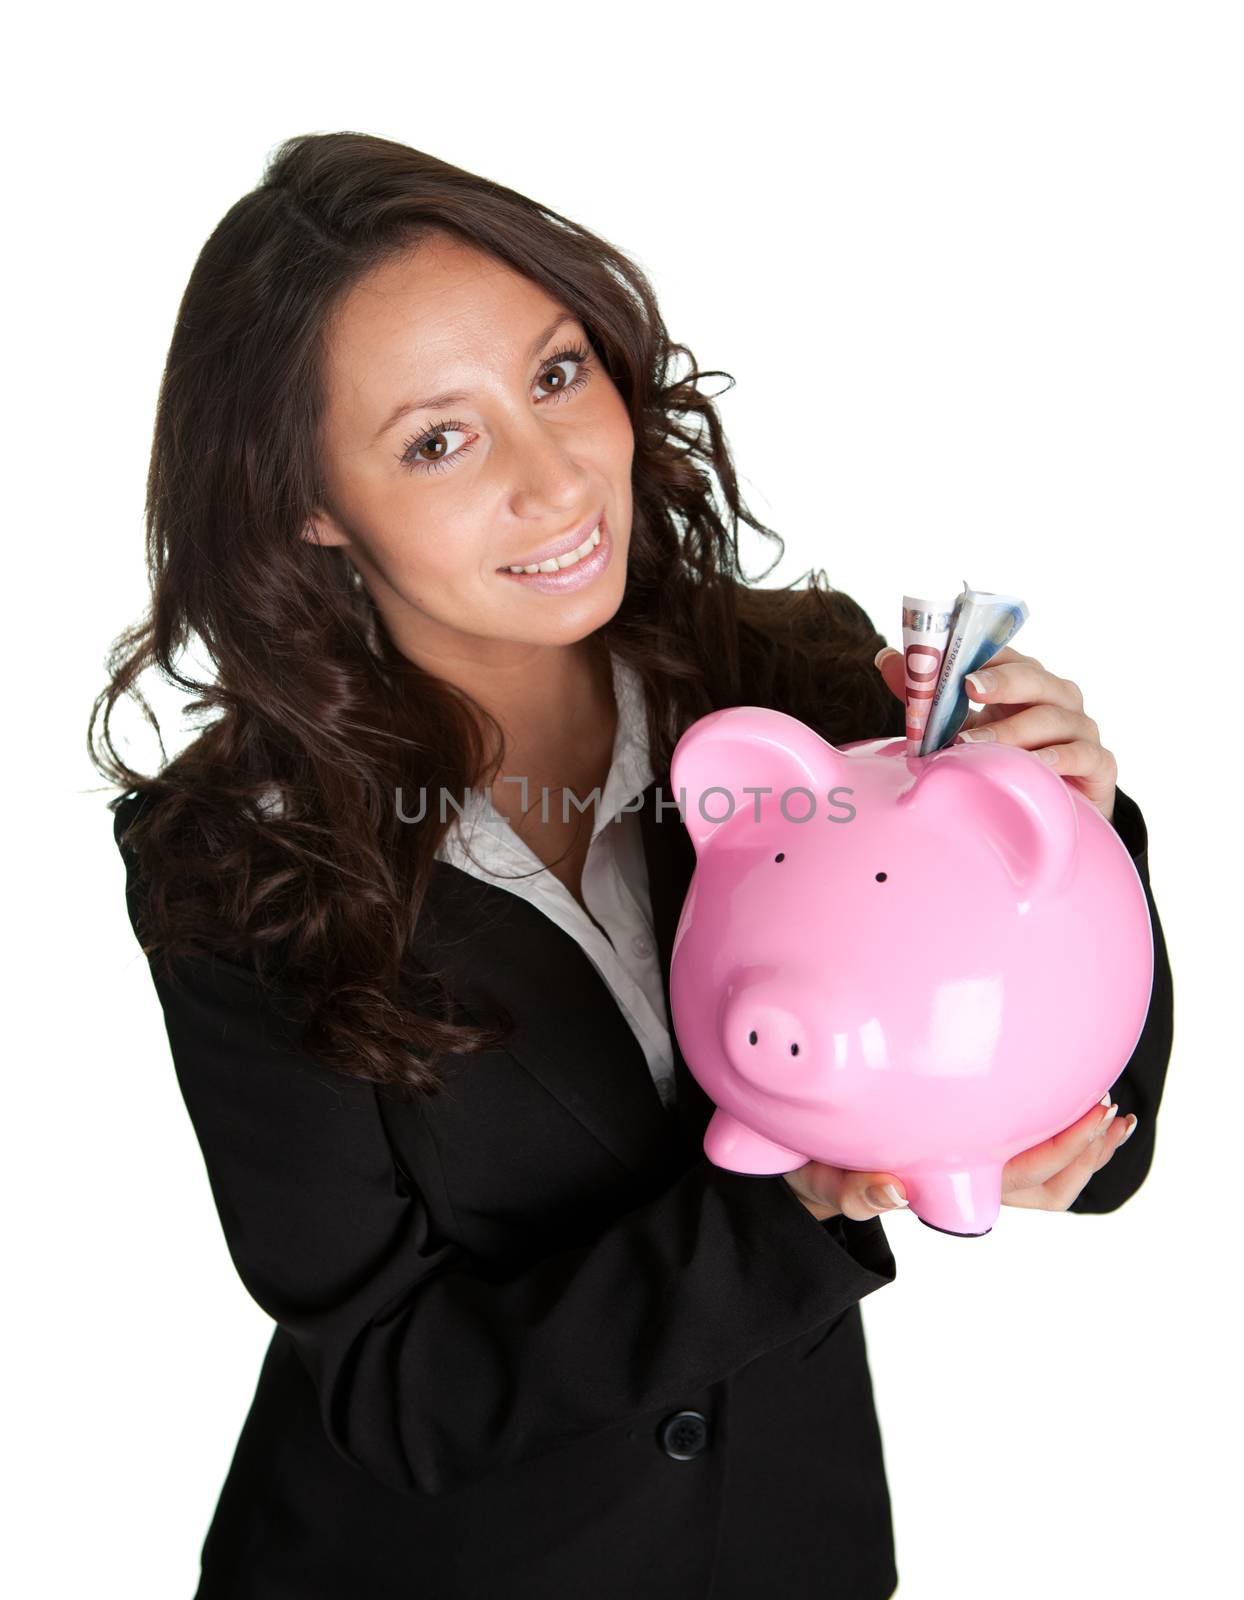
point(463, 438)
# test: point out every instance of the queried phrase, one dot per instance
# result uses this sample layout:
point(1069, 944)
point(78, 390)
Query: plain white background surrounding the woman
point(978, 274)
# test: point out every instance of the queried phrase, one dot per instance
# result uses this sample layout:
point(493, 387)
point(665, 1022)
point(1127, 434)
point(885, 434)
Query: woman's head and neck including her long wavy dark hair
point(341, 550)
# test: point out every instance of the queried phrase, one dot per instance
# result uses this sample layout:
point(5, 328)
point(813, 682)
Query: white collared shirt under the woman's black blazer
point(615, 882)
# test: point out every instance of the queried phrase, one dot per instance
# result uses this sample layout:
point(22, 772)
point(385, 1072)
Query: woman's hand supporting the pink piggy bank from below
point(1047, 1178)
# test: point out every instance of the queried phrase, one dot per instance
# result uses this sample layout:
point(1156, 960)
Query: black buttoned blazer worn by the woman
point(530, 1342)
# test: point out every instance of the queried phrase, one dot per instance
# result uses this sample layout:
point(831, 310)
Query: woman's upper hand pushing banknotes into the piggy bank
point(1027, 706)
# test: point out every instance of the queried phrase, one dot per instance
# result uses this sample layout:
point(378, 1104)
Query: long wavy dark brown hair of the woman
point(308, 697)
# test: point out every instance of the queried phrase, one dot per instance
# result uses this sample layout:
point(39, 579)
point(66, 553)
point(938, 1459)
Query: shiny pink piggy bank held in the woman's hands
point(917, 966)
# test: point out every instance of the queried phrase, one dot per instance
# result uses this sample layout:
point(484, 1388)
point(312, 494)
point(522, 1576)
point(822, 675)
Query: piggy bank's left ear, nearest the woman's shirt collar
point(749, 748)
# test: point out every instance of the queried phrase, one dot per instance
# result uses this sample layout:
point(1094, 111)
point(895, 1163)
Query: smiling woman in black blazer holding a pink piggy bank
point(528, 1340)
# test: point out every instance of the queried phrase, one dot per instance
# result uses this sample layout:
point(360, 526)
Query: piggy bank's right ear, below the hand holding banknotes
point(1008, 798)
